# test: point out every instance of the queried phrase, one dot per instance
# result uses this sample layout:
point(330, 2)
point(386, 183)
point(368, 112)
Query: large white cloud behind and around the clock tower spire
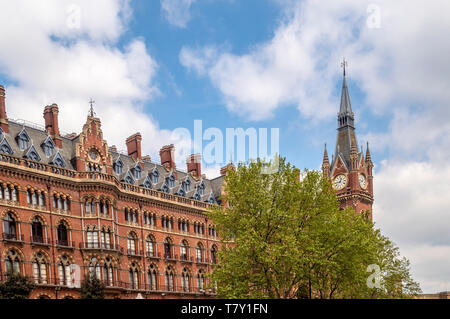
point(402, 68)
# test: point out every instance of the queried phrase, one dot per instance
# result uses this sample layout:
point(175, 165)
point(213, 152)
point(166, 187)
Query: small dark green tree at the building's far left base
point(16, 286)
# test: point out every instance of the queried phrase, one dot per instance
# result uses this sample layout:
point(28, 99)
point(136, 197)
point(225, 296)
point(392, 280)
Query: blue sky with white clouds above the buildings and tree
point(155, 66)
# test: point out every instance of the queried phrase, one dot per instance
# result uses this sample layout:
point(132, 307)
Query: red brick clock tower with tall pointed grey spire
point(350, 172)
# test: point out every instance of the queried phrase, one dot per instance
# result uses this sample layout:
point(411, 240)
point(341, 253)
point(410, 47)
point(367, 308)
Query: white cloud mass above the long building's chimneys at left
point(65, 52)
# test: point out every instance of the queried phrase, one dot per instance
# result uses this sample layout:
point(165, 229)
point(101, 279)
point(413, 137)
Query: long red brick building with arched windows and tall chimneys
point(71, 205)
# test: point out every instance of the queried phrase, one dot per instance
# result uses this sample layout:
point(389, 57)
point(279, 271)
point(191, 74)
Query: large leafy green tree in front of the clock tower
point(286, 238)
